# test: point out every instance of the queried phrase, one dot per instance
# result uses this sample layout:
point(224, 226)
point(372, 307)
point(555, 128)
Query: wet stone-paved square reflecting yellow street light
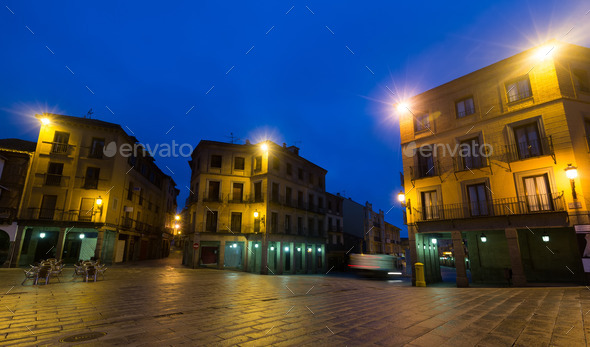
point(157, 304)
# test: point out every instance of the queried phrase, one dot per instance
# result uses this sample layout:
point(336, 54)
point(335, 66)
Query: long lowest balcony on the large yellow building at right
point(523, 205)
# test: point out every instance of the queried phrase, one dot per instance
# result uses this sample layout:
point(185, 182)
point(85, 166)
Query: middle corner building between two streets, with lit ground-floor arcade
point(255, 207)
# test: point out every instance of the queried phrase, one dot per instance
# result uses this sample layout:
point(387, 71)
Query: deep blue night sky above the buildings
point(150, 62)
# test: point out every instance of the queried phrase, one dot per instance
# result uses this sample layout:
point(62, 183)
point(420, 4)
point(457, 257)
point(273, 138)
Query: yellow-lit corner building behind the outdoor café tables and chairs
point(86, 198)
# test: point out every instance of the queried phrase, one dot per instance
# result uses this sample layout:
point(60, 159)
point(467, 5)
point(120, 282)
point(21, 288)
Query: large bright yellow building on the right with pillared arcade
point(498, 162)
